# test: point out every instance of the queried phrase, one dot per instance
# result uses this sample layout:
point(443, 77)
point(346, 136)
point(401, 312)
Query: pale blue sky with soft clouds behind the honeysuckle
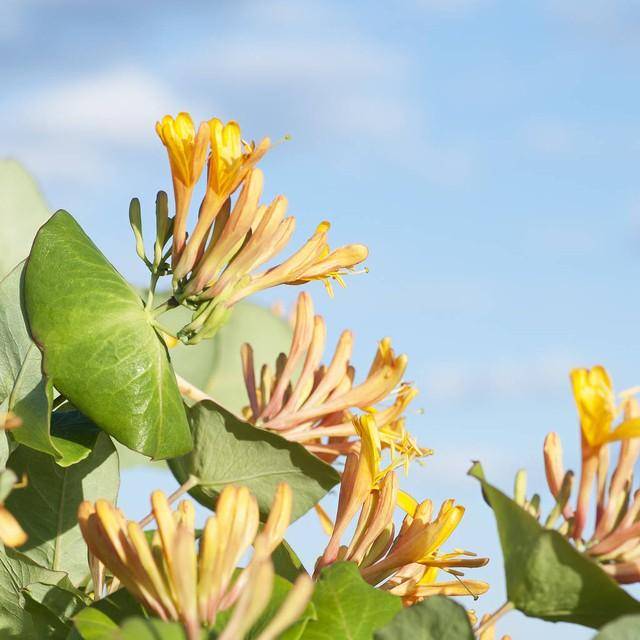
point(486, 152)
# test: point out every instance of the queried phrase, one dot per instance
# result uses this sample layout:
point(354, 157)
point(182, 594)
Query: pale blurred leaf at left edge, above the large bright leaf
point(22, 211)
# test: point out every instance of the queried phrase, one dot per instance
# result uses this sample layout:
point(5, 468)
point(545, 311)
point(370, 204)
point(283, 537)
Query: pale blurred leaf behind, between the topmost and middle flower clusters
point(214, 365)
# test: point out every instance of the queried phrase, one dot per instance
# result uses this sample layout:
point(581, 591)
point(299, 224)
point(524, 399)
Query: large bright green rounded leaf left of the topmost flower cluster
point(100, 348)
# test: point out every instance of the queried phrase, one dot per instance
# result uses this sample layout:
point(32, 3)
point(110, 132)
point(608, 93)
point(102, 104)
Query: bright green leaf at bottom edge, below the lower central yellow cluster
point(348, 607)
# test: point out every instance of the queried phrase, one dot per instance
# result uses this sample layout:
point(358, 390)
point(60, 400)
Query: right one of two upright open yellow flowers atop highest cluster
point(230, 161)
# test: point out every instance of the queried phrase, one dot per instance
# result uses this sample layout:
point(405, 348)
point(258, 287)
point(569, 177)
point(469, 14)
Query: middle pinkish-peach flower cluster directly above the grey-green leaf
point(311, 403)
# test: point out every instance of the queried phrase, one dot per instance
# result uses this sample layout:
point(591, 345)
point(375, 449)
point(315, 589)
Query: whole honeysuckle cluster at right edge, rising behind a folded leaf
point(615, 540)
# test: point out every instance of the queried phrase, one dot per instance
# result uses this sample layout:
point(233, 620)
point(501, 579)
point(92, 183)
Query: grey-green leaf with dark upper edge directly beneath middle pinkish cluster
point(229, 451)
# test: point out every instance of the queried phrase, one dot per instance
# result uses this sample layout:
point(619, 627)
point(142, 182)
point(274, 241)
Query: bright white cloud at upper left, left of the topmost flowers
point(75, 130)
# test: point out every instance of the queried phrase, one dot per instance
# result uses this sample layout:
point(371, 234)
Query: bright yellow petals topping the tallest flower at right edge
point(596, 403)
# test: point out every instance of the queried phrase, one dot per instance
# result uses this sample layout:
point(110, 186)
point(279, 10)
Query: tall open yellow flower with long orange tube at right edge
point(597, 410)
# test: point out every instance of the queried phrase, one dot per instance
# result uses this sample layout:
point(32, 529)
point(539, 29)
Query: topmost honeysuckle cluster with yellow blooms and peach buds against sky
point(219, 263)
